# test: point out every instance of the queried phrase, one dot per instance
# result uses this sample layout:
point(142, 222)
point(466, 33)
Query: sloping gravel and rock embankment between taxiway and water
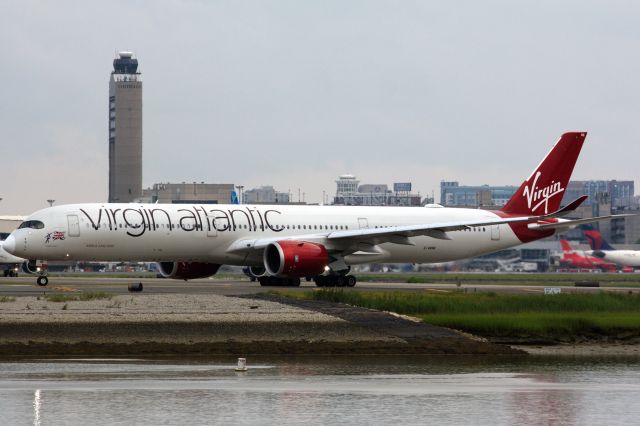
point(142, 325)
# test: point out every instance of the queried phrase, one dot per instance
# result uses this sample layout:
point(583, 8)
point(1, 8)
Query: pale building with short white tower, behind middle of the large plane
point(349, 192)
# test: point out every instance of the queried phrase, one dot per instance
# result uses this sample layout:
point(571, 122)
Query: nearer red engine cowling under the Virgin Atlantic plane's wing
point(295, 259)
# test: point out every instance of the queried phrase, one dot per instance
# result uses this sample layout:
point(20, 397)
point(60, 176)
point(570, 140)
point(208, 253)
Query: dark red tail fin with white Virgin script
point(542, 192)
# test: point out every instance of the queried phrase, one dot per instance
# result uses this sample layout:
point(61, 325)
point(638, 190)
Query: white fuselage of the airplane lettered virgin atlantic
point(177, 232)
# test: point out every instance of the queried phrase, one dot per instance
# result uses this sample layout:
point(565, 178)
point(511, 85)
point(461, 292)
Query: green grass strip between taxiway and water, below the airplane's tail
point(564, 317)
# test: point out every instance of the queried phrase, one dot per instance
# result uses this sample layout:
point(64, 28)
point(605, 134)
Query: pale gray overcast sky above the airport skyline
point(294, 93)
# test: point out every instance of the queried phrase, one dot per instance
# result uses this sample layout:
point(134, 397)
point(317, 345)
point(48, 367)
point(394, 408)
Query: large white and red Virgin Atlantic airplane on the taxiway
point(281, 244)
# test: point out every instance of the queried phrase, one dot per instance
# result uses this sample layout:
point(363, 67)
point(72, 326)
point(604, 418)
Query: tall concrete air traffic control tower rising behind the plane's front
point(125, 130)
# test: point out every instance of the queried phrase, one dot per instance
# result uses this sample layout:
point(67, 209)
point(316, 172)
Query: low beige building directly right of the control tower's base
point(189, 193)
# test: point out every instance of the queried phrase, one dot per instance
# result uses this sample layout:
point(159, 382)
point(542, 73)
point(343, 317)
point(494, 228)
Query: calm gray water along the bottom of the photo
point(317, 391)
